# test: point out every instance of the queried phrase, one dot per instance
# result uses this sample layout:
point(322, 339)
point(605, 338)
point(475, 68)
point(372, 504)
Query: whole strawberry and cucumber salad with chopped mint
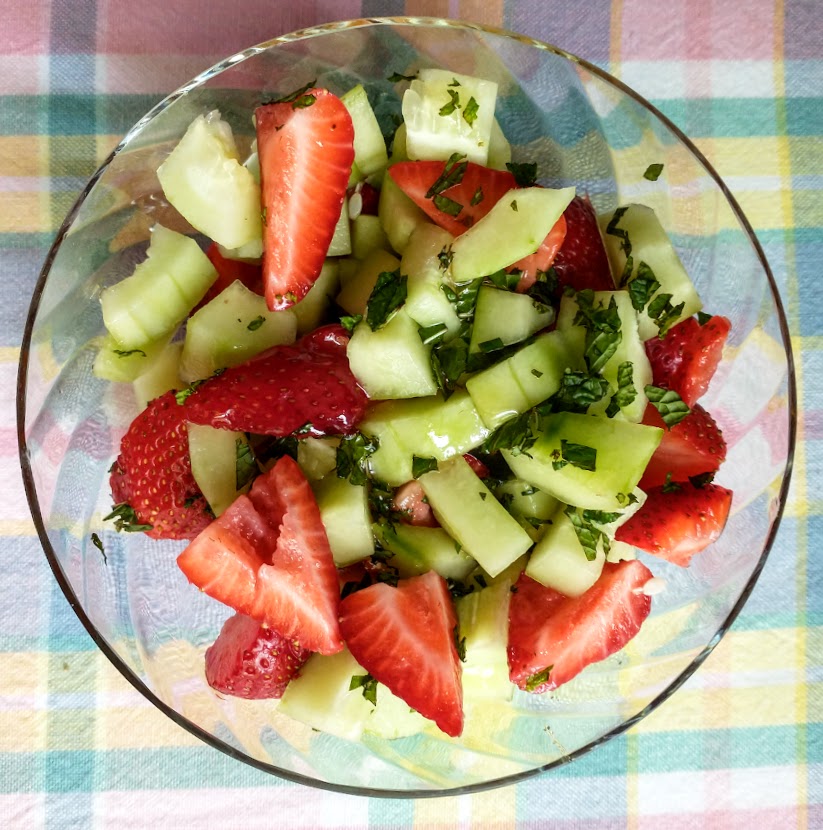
point(425, 423)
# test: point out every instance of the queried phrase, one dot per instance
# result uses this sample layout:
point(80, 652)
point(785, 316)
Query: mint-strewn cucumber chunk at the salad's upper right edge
point(650, 244)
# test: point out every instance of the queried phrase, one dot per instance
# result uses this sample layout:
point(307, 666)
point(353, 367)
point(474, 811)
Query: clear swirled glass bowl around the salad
point(582, 127)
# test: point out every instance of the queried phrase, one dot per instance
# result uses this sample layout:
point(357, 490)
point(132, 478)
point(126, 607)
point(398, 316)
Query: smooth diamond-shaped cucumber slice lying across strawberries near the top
point(514, 228)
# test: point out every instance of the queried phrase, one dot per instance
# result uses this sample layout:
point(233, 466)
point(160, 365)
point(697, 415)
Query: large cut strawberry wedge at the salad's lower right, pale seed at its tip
point(549, 631)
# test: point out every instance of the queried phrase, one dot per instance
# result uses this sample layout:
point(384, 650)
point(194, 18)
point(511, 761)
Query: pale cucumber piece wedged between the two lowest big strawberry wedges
point(483, 620)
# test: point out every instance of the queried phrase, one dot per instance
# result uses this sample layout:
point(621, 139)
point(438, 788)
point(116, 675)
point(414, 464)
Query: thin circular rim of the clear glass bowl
point(22, 385)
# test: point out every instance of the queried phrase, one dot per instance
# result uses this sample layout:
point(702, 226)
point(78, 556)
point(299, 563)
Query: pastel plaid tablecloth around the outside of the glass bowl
point(740, 746)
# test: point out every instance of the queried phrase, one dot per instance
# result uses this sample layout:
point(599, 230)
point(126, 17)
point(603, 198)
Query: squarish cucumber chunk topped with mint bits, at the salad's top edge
point(448, 113)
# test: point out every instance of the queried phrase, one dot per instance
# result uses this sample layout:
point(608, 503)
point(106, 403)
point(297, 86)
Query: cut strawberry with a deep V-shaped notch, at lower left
point(268, 557)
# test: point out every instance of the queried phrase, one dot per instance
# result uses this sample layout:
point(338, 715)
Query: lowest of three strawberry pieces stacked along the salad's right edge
point(679, 522)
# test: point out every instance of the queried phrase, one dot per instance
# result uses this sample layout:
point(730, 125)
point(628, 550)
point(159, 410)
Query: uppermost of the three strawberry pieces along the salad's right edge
point(686, 358)
